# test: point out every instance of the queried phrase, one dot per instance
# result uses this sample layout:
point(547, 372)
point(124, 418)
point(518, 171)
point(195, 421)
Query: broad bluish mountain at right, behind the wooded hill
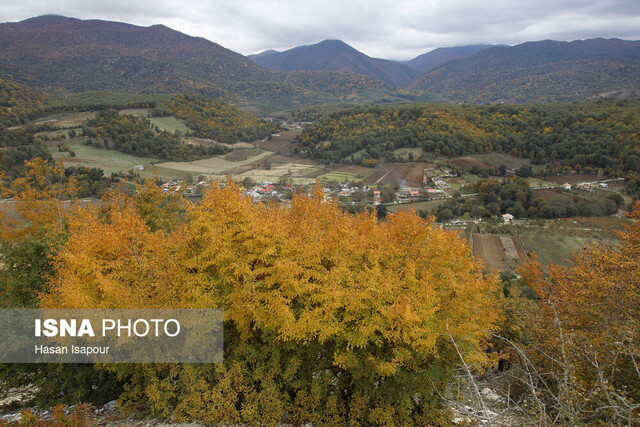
point(544, 71)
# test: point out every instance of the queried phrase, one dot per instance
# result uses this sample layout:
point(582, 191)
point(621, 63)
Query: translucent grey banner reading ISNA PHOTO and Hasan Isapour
point(111, 336)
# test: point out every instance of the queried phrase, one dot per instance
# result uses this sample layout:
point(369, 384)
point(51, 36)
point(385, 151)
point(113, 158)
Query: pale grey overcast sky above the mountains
point(392, 29)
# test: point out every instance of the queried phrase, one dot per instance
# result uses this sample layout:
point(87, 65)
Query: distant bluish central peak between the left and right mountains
point(336, 55)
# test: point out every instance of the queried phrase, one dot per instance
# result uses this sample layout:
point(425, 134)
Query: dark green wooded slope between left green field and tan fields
point(137, 136)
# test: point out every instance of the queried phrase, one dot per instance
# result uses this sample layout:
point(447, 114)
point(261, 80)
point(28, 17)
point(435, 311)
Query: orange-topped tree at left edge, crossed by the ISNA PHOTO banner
point(44, 202)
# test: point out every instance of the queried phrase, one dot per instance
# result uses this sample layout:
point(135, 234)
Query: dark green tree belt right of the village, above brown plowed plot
point(514, 196)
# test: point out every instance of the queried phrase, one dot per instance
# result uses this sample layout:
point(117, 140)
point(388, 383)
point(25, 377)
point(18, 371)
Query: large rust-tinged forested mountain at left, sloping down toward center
point(81, 55)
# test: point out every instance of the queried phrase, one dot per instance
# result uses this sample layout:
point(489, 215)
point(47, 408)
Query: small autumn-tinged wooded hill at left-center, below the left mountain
point(217, 120)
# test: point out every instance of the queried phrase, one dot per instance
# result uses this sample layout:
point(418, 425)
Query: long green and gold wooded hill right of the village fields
point(591, 134)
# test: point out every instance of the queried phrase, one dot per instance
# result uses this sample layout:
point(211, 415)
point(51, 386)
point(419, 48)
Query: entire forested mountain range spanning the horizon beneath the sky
point(70, 54)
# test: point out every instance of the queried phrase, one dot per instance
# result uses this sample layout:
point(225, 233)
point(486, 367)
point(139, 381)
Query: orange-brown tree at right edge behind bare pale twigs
point(586, 345)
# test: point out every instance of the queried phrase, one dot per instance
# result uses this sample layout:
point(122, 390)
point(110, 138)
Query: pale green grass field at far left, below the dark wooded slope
point(107, 160)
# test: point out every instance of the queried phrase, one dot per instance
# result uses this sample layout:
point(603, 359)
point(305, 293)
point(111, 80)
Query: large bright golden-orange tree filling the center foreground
point(330, 318)
